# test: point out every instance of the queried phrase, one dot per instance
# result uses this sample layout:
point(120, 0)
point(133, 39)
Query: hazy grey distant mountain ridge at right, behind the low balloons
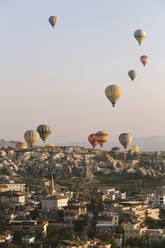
point(152, 143)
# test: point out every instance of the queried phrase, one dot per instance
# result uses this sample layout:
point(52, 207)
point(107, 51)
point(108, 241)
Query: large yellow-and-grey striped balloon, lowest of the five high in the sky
point(113, 93)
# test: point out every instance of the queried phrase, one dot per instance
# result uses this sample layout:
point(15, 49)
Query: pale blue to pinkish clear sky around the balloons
point(58, 76)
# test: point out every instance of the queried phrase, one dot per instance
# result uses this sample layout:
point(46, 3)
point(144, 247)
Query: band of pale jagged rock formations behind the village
point(68, 162)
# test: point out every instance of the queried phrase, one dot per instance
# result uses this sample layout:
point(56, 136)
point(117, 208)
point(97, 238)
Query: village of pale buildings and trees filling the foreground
point(102, 217)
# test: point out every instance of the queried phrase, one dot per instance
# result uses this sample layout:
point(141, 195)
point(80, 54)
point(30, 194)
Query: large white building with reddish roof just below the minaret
point(55, 202)
